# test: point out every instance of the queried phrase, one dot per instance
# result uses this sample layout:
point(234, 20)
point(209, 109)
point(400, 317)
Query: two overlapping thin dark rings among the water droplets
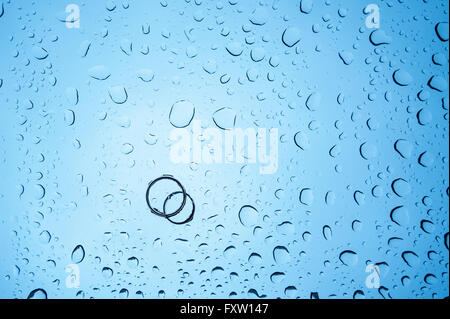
point(163, 213)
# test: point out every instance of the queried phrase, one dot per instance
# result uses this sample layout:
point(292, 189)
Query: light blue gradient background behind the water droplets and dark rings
point(95, 194)
